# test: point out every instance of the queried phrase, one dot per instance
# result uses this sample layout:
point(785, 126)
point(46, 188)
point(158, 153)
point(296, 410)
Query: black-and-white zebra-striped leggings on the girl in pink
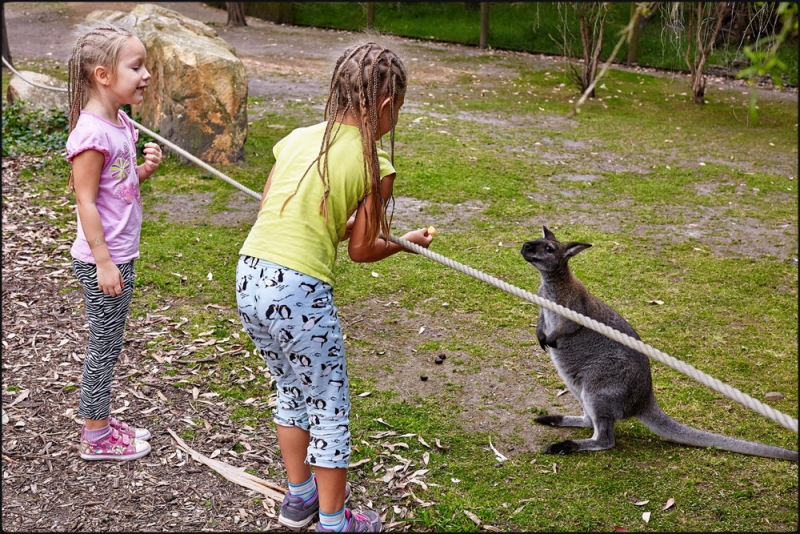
point(107, 316)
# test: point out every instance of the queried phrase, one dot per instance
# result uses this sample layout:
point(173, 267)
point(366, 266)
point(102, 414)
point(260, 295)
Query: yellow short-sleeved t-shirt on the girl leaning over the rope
point(299, 238)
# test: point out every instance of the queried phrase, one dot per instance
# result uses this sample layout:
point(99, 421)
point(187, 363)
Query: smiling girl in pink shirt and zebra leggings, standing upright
point(106, 71)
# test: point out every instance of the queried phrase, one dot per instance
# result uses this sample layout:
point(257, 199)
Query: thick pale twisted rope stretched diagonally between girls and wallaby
point(690, 371)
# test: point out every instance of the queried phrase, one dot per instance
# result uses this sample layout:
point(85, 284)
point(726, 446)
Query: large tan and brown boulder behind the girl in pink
point(197, 96)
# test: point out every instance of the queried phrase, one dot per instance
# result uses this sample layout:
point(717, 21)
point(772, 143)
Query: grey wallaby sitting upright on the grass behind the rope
point(610, 380)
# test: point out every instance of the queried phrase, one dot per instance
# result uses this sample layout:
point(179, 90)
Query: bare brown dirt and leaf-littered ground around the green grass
point(47, 487)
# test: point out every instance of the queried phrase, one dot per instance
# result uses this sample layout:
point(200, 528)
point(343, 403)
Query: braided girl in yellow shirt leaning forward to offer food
point(323, 174)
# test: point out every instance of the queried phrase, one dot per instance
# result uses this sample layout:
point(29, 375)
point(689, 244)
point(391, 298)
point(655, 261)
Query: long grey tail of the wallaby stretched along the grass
point(654, 418)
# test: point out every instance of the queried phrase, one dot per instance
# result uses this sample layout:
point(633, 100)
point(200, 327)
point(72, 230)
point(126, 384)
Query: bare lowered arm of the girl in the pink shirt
point(86, 168)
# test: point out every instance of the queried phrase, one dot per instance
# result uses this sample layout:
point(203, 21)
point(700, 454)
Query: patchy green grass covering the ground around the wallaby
point(728, 309)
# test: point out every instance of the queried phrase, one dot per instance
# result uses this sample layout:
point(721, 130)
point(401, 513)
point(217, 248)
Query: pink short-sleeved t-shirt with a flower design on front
point(118, 200)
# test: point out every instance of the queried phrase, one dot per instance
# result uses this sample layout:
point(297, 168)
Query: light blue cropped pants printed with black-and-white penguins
point(294, 324)
